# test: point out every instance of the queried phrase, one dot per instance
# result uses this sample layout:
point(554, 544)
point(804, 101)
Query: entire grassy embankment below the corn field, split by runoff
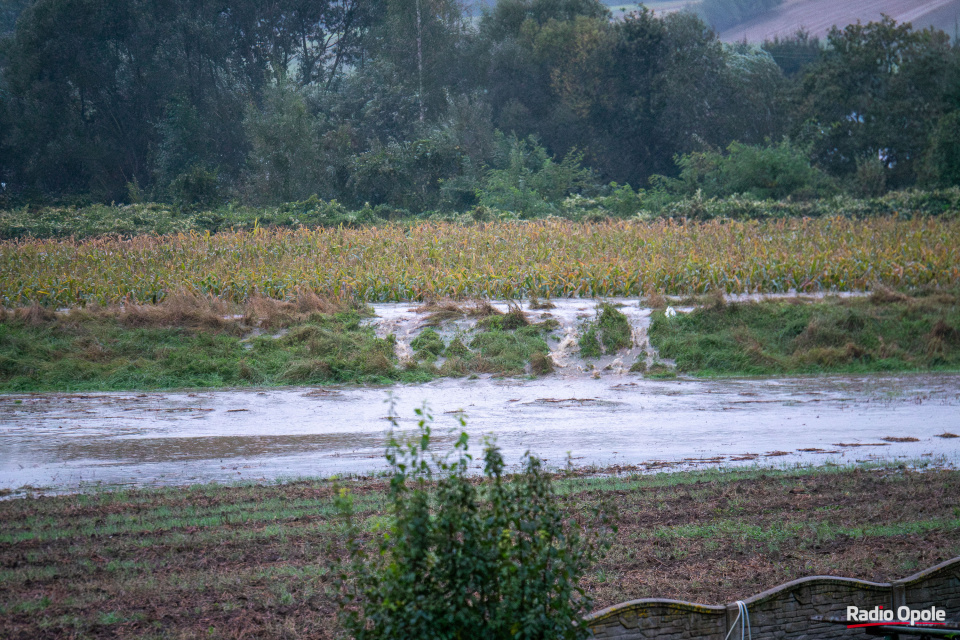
point(191, 341)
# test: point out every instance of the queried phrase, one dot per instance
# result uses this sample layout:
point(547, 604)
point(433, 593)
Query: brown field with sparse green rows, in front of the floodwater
point(254, 560)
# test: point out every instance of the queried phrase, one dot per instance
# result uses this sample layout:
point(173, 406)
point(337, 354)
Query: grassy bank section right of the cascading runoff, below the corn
point(886, 331)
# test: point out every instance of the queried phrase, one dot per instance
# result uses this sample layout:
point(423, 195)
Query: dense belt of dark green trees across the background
point(415, 108)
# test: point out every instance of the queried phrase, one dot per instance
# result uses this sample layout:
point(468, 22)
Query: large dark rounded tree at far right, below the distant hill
point(876, 92)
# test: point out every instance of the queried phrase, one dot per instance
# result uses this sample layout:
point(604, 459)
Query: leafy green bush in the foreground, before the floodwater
point(497, 559)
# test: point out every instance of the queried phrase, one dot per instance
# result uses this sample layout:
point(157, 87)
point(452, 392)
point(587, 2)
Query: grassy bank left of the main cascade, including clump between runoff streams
point(191, 341)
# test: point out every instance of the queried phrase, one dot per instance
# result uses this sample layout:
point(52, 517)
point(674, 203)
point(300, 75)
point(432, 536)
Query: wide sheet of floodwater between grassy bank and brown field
point(63, 442)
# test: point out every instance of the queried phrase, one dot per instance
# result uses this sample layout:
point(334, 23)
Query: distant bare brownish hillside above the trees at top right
point(818, 16)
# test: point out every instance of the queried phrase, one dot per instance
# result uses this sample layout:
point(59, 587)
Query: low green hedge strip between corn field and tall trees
point(149, 218)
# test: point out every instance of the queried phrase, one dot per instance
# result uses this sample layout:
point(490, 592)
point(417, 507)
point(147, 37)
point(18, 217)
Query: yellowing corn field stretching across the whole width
point(550, 258)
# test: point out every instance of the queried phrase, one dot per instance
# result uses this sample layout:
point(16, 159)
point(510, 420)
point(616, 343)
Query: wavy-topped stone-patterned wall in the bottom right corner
point(782, 613)
